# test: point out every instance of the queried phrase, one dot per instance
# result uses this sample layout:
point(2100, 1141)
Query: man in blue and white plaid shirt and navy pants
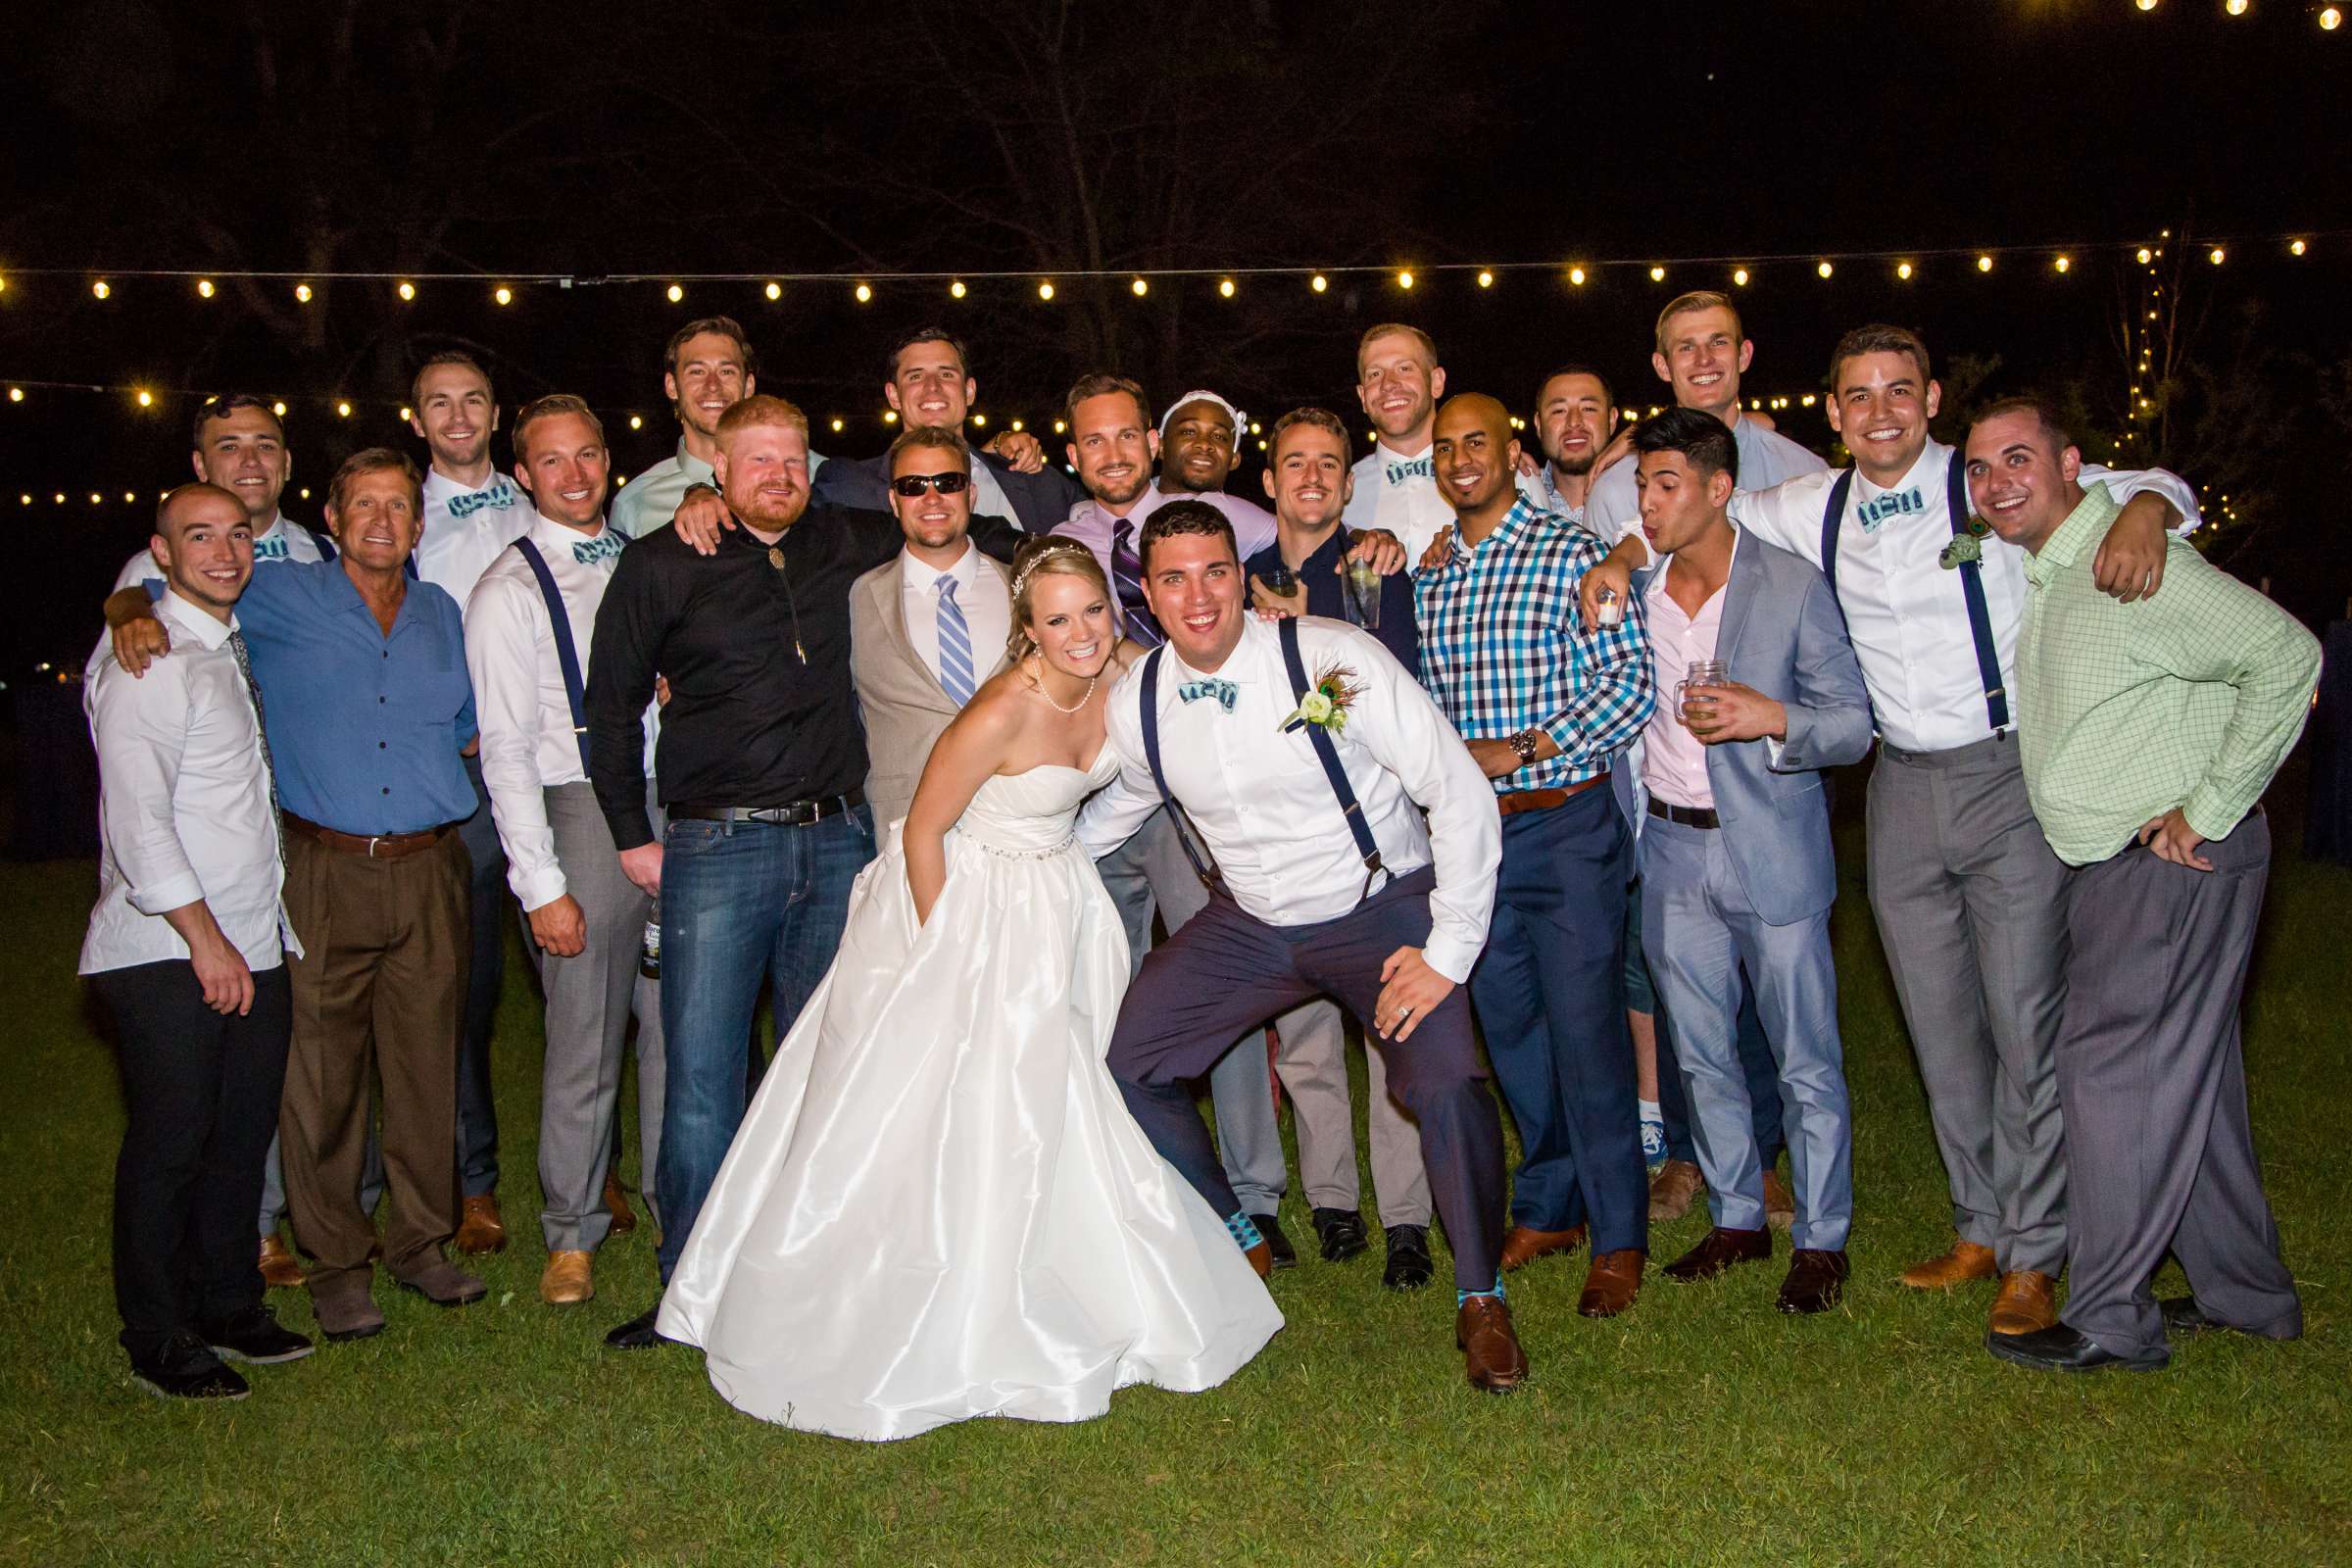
point(1546, 704)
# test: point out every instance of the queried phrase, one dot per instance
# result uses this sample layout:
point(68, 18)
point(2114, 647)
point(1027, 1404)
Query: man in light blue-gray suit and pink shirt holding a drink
point(1737, 864)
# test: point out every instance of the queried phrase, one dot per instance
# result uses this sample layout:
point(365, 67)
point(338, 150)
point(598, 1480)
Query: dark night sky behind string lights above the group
point(603, 140)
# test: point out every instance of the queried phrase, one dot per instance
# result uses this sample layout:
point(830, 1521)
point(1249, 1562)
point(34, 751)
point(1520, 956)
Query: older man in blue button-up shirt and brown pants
point(366, 709)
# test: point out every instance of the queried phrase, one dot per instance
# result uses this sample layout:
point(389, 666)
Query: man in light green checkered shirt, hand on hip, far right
point(2149, 737)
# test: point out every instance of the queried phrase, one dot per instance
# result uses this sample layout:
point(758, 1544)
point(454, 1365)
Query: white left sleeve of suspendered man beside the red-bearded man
point(505, 629)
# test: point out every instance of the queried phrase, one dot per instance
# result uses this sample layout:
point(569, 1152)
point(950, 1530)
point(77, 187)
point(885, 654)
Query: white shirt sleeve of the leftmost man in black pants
point(142, 732)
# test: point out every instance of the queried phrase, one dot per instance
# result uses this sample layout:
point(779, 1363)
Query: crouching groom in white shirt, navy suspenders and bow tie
point(1323, 883)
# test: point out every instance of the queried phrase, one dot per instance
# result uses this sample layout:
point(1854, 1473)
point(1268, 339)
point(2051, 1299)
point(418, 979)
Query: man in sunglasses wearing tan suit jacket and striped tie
point(928, 626)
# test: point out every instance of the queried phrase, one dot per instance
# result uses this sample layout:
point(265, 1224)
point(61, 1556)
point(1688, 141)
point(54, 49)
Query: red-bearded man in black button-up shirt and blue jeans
point(754, 643)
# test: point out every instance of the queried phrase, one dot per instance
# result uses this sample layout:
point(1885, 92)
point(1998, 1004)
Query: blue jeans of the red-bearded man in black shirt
point(740, 904)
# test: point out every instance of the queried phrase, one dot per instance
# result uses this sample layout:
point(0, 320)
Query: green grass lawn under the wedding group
point(1702, 1428)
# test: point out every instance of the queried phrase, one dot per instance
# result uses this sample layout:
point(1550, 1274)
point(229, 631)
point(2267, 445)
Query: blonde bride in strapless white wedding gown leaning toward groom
point(937, 1205)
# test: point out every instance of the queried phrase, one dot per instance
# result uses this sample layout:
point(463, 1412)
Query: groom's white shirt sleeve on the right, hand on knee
point(1410, 737)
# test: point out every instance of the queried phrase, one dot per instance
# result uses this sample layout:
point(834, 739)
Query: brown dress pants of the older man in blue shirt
point(375, 993)
